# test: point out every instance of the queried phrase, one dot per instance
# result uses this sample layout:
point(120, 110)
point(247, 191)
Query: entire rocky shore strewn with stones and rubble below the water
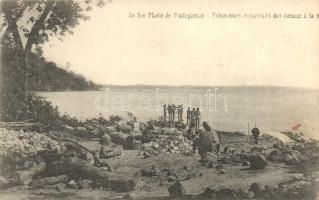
point(122, 158)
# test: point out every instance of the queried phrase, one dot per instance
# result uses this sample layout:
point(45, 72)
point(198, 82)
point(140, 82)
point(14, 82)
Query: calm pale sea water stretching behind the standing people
point(229, 108)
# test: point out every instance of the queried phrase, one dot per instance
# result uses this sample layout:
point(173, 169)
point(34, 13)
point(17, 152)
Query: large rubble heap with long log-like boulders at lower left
point(41, 160)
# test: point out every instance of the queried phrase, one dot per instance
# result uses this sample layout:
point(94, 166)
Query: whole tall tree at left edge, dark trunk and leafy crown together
point(32, 21)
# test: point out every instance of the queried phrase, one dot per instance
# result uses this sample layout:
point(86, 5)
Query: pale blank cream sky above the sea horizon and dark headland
point(112, 48)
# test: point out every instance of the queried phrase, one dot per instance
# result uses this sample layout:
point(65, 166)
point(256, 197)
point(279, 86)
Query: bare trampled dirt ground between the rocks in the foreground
point(167, 168)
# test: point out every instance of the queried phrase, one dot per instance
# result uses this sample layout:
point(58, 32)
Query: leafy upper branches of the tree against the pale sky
point(44, 18)
